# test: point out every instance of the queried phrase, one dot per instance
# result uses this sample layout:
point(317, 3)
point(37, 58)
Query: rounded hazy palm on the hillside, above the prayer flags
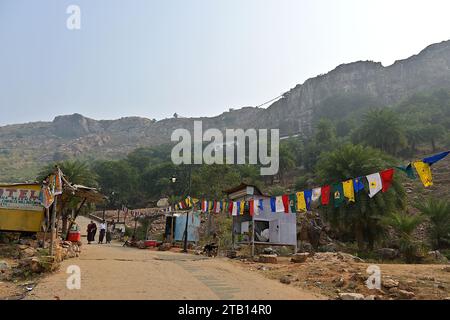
point(381, 129)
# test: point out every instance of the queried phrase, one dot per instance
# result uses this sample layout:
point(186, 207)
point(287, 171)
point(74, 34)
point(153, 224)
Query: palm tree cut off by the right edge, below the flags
point(438, 213)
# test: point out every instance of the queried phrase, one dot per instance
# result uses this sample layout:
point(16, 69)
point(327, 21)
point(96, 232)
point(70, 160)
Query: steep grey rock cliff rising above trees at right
point(430, 69)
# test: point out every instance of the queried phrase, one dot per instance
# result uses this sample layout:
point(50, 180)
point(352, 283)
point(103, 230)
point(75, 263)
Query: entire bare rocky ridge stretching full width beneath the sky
point(26, 147)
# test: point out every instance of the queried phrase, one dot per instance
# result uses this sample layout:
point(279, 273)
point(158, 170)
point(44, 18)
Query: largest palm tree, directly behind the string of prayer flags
point(359, 220)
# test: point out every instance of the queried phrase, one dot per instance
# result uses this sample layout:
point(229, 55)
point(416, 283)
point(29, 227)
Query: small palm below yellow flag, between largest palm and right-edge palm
point(404, 225)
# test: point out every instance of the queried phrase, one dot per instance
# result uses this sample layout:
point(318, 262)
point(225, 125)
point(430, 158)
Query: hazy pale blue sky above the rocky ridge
point(192, 57)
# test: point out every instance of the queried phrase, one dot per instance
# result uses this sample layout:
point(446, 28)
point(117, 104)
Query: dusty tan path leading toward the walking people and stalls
point(114, 272)
